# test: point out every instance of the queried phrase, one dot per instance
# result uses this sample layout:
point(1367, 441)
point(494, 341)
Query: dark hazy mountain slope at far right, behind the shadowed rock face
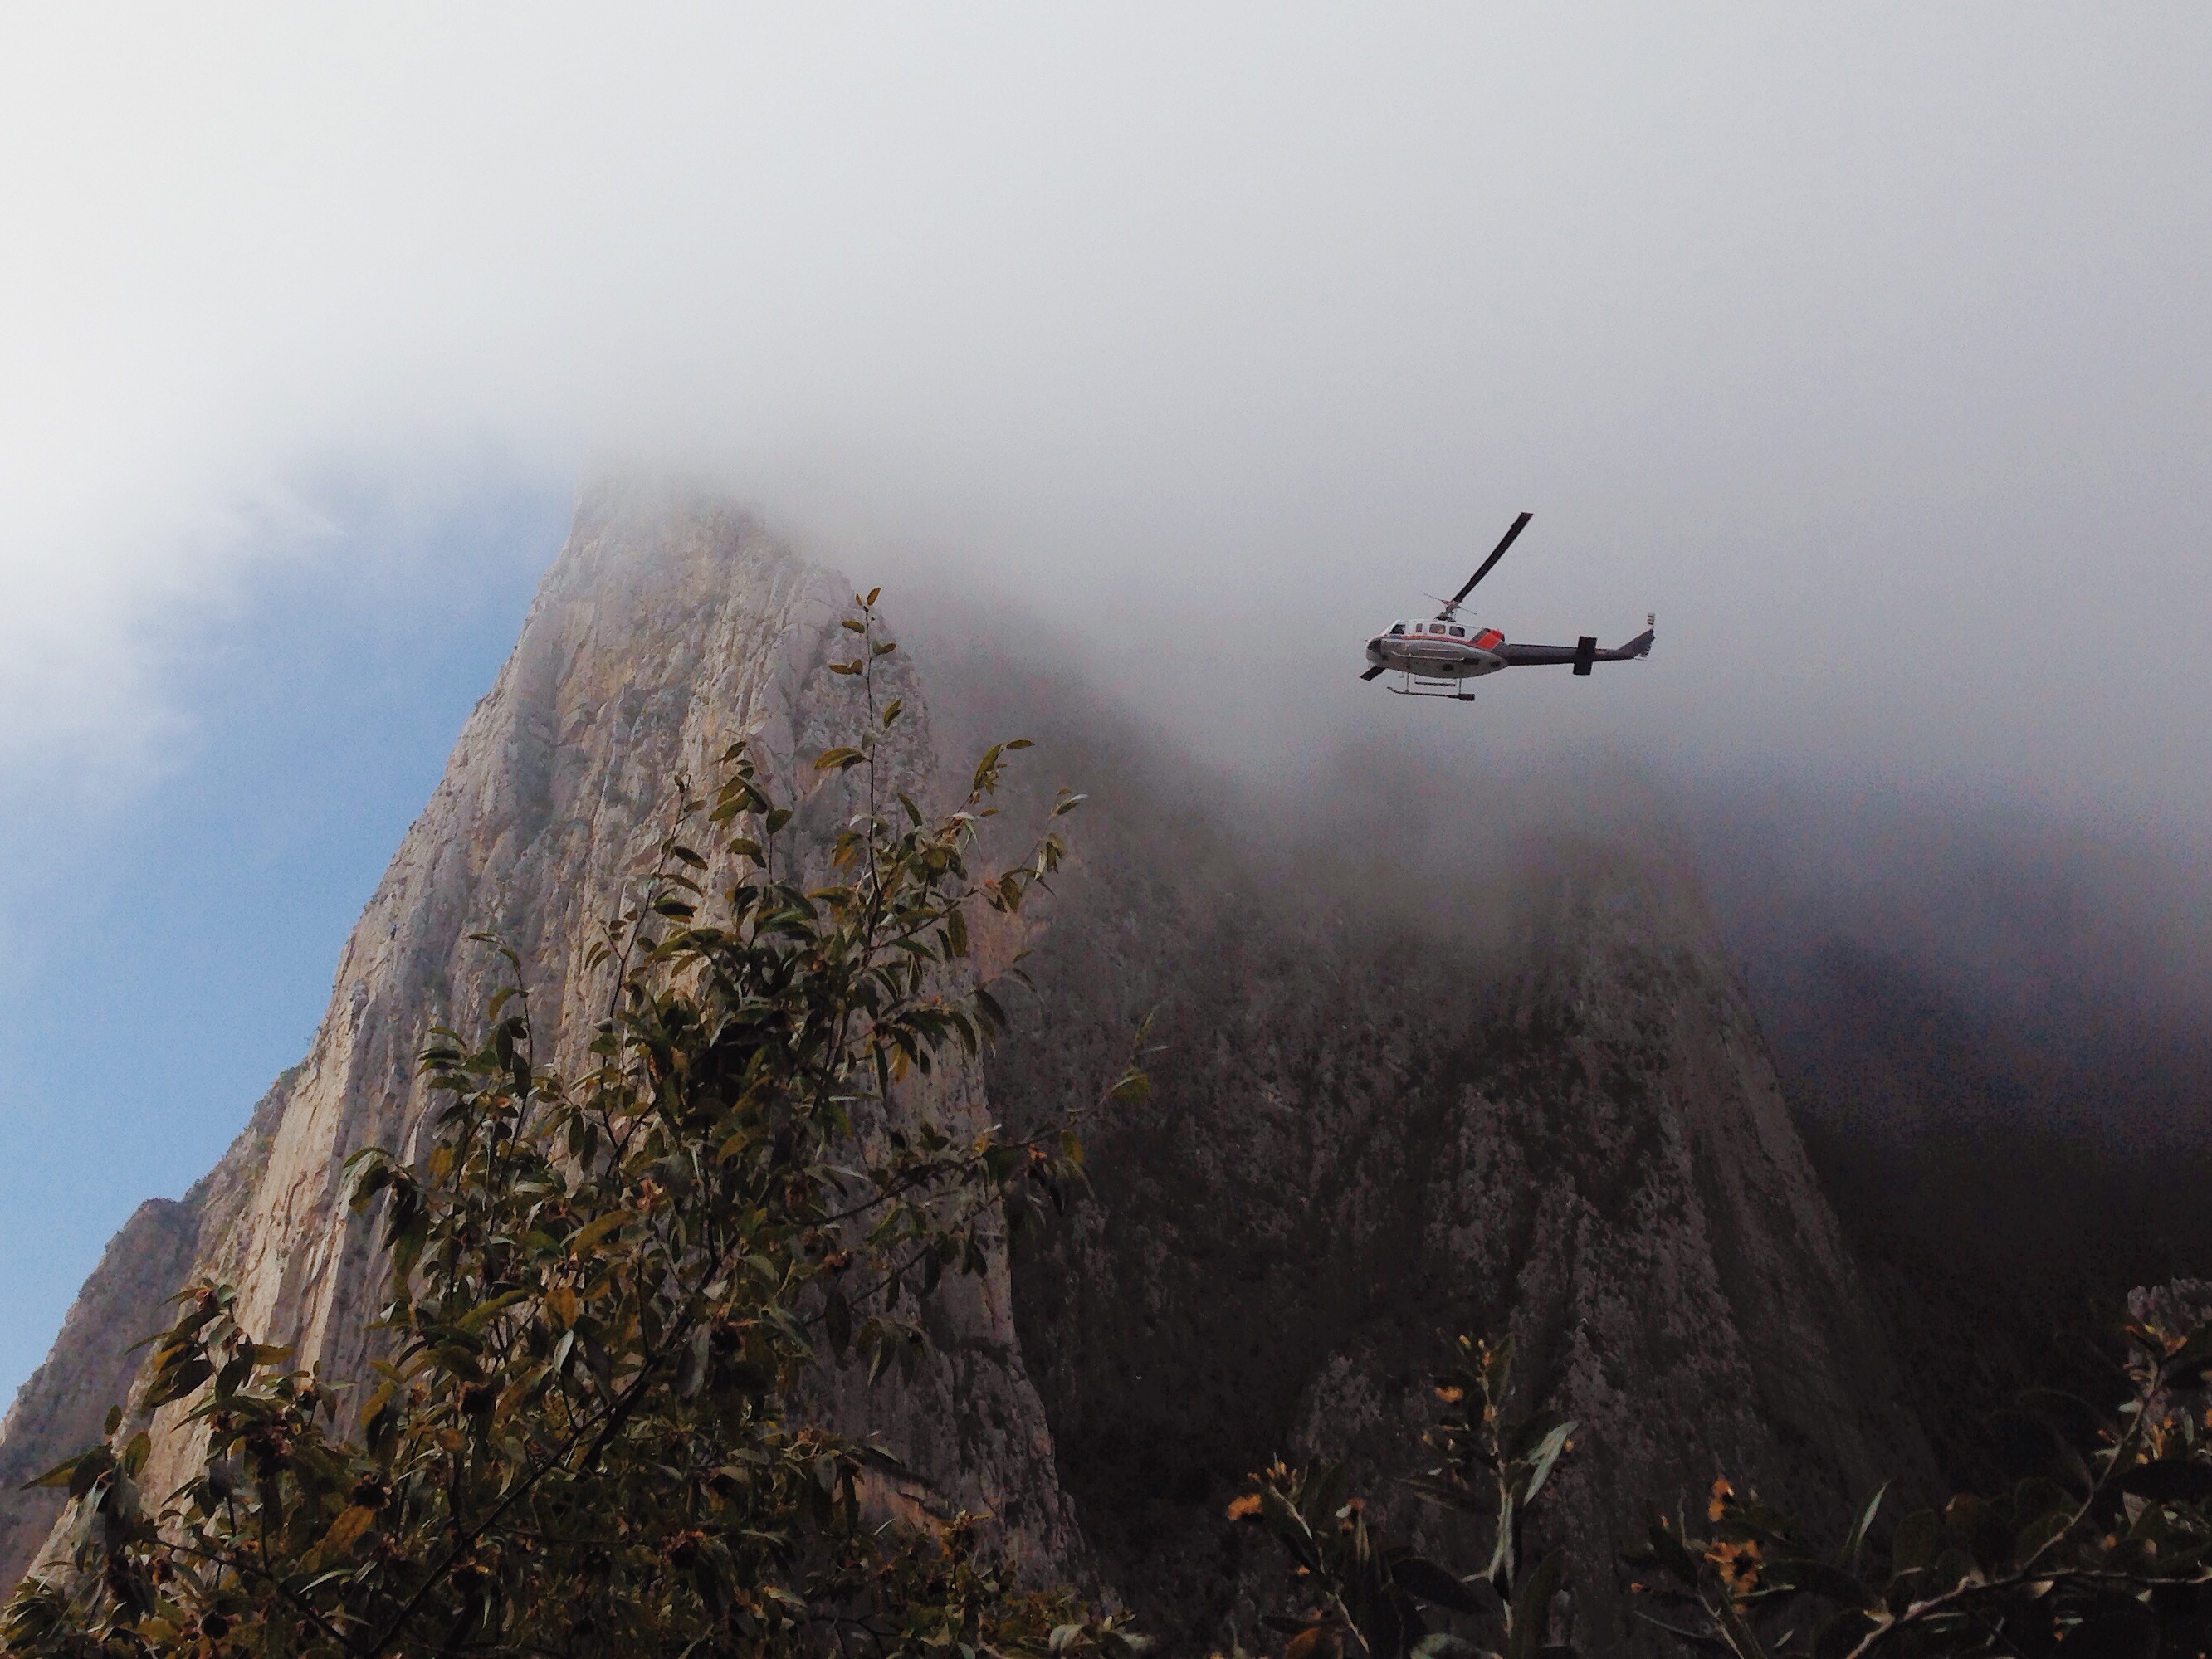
point(1996, 1036)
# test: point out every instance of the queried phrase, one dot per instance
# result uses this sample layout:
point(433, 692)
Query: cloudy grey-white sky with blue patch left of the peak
point(1864, 346)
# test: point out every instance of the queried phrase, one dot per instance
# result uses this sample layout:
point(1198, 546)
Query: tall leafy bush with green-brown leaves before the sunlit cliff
point(612, 1297)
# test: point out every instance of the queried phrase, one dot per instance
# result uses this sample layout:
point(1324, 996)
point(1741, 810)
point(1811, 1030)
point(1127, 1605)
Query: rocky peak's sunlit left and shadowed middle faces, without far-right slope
point(1541, 1109)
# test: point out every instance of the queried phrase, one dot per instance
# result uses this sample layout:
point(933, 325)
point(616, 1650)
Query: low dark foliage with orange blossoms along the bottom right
point(2100, 1552)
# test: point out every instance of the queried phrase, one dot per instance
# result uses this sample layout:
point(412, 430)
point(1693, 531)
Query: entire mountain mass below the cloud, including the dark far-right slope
point(1434, 1050)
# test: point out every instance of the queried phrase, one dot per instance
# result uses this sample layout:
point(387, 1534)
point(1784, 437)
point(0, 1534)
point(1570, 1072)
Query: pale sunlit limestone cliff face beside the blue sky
point(660, 636)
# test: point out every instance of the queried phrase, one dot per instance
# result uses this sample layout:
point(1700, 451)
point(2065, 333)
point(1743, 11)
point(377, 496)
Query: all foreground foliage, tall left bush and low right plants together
point(620, 1300)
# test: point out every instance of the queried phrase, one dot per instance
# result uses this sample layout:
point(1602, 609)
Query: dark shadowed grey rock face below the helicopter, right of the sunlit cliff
point(1373, 1129)
